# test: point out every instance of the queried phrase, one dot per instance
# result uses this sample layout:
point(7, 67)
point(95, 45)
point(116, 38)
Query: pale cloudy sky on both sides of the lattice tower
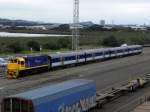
point(61, 11)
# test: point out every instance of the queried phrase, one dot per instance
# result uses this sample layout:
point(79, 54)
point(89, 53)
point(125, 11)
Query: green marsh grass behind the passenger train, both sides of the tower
point(87, 39)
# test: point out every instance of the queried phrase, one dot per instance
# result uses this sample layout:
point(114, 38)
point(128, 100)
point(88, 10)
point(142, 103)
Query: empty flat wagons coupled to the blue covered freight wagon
point(120, 91)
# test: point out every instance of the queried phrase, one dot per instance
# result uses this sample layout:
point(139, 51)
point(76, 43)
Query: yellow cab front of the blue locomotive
point(14, 66)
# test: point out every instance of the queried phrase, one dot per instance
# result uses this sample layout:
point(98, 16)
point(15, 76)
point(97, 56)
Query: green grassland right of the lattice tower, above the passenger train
point(97, 37)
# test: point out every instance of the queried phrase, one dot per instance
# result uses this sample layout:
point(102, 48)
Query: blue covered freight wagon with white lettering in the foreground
point(71, 96)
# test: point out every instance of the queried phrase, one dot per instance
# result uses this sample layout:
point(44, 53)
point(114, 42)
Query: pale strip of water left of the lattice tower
point(6, 34)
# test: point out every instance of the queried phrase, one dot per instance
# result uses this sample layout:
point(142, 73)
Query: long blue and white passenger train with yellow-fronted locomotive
point(28, 65)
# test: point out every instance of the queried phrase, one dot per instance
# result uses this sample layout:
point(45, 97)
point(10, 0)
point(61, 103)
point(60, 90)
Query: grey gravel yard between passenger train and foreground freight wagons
point(106, 74)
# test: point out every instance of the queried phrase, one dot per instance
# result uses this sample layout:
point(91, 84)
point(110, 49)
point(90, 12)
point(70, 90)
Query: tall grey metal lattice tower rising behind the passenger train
point(75, 29)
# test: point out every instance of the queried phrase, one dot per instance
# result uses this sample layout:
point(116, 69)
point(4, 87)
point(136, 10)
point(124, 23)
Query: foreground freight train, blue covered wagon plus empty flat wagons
point(77, 95)
